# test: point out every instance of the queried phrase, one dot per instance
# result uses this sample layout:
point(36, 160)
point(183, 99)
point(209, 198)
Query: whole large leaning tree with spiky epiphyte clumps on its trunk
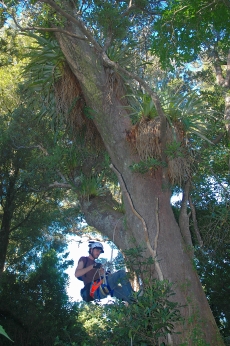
point(106, 45)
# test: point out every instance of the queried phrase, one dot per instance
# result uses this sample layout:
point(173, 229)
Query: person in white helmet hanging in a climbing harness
point(97, 283)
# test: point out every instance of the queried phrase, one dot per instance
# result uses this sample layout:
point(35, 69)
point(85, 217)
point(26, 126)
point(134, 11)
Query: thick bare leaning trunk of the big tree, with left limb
point(150, 199)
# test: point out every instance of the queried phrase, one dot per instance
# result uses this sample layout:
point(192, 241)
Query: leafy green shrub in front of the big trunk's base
point(154, 314)
